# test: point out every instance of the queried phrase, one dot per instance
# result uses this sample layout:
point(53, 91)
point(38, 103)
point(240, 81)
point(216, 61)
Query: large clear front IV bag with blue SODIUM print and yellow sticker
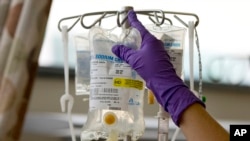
point(116, 91)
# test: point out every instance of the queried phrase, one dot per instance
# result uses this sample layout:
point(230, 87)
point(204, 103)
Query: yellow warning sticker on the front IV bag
point(128, 83)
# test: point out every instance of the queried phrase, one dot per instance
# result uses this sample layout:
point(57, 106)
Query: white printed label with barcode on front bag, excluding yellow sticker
point(103, 94)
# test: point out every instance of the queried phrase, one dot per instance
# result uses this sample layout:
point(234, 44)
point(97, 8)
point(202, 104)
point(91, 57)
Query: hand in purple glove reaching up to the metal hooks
point(153, 64)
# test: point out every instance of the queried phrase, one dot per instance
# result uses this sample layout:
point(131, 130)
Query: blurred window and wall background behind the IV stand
point(223, 32)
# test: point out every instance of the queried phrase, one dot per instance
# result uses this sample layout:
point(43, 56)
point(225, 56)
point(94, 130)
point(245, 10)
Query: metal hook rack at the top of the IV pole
point(157, 14)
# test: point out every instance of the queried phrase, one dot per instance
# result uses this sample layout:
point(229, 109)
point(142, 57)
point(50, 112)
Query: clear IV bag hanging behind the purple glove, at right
point(173, 38)
